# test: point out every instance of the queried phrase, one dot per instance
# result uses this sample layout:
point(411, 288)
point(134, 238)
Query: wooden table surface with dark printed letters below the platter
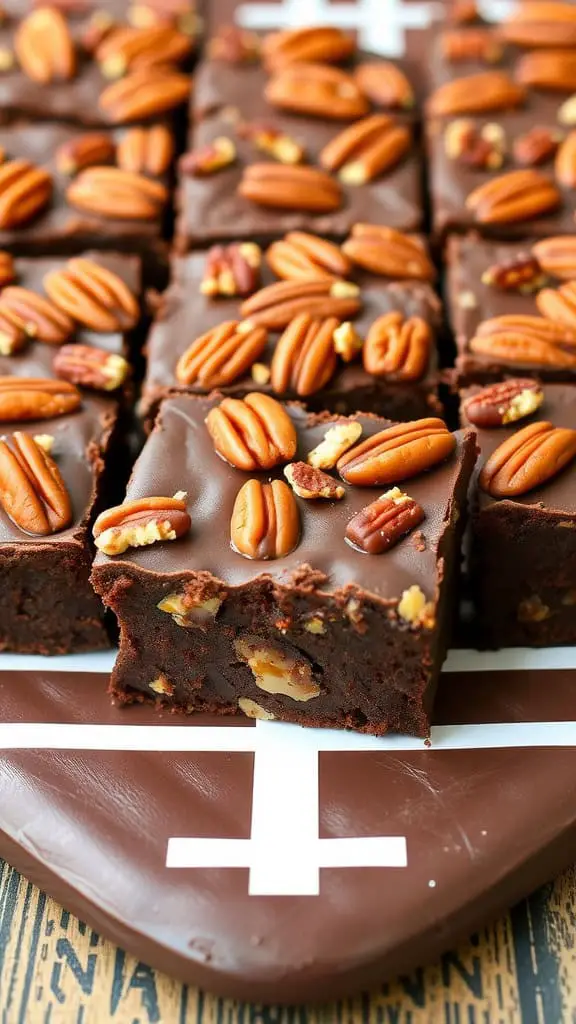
point(54, 970)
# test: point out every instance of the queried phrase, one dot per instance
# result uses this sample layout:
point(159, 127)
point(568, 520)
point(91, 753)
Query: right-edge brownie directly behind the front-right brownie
point(477, 291)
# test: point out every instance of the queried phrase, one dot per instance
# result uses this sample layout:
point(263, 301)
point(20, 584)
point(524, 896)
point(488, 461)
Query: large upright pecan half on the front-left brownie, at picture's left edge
point(32, 491)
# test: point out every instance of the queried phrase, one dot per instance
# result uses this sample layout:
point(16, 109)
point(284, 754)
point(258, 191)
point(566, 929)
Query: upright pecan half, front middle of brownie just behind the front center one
point(305, 358)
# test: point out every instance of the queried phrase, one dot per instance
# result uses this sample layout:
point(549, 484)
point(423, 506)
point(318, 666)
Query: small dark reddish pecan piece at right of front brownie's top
point(383, 524)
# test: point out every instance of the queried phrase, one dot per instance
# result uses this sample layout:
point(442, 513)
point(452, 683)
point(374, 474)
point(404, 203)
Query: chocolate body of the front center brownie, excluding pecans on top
point(195, 613)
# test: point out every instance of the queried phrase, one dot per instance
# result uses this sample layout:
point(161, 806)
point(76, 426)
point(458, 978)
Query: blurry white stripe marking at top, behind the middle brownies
point(381, 24)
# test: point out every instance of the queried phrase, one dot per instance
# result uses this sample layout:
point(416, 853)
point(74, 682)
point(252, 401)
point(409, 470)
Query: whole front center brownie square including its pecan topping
point(327, 606)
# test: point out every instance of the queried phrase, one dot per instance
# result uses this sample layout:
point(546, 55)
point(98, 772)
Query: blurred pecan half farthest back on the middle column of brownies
point(318, 44)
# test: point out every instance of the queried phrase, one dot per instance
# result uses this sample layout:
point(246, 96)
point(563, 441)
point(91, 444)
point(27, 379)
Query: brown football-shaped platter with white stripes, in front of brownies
point(276, 864)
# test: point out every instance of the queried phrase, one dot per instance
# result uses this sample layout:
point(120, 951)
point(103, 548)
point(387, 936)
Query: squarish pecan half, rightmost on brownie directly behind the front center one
point(398, 348)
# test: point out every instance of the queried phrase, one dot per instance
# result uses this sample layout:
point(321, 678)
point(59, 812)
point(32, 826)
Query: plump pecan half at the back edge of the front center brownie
point(255, 433)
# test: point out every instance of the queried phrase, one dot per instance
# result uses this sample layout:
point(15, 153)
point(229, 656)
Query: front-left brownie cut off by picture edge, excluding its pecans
point(48, 606)
